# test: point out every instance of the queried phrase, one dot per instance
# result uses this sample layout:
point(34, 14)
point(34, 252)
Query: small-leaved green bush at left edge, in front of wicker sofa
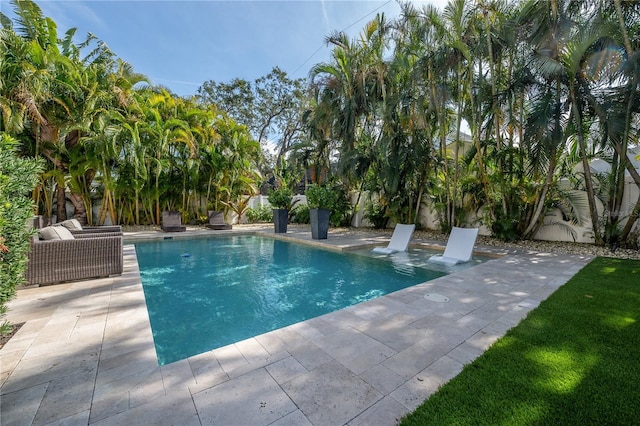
point(18, 177)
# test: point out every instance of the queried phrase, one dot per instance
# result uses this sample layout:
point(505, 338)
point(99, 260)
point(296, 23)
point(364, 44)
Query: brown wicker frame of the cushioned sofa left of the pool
point(85, 256)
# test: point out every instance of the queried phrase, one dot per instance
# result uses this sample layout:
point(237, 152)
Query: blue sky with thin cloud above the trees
point(182, 44)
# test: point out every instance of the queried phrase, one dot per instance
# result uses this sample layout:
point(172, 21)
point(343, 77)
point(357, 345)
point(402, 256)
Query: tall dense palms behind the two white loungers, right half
point(542, 87)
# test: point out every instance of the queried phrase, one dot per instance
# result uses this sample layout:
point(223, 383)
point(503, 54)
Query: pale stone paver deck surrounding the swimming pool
point(85, 354)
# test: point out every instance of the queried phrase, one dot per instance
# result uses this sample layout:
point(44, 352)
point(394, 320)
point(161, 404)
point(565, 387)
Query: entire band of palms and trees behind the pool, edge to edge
point(486, 112)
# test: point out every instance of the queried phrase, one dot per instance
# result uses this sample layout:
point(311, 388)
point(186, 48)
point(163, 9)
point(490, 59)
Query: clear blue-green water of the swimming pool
point(202, 294)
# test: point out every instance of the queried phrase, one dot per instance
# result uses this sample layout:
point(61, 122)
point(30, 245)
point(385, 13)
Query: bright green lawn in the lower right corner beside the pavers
point(575, 360)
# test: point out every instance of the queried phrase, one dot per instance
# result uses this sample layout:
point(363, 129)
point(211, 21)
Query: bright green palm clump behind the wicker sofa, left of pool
point(111, 142)
